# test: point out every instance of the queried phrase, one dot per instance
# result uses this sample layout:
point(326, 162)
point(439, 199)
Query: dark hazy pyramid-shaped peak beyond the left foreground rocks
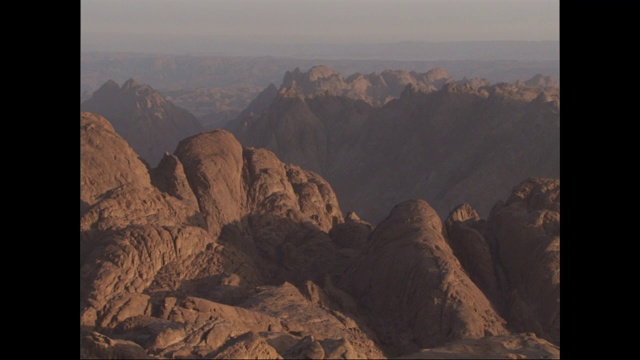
point(149, 123)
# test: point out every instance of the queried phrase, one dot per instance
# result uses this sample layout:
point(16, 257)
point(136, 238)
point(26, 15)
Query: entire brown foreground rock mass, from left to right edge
point(226, 252)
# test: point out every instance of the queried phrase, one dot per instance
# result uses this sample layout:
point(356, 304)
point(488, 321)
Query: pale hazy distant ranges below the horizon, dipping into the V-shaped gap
point(216, 89)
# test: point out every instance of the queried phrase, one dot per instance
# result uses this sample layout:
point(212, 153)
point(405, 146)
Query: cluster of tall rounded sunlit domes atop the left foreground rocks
point(230, 183)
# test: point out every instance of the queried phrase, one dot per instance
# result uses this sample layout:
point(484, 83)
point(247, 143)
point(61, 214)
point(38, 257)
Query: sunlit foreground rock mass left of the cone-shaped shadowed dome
point(213, 220)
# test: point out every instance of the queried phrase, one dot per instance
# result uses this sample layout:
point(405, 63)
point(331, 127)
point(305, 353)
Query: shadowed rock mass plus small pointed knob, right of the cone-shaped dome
point(514, 256)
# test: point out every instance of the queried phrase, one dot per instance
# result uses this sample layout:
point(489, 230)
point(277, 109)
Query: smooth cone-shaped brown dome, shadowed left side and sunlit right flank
point(412, 286)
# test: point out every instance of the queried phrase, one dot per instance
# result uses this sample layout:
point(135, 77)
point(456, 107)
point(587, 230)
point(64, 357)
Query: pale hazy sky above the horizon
point(327, 21)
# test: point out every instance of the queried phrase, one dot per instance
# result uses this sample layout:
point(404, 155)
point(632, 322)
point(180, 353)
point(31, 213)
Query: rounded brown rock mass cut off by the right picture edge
point(527, 231)
